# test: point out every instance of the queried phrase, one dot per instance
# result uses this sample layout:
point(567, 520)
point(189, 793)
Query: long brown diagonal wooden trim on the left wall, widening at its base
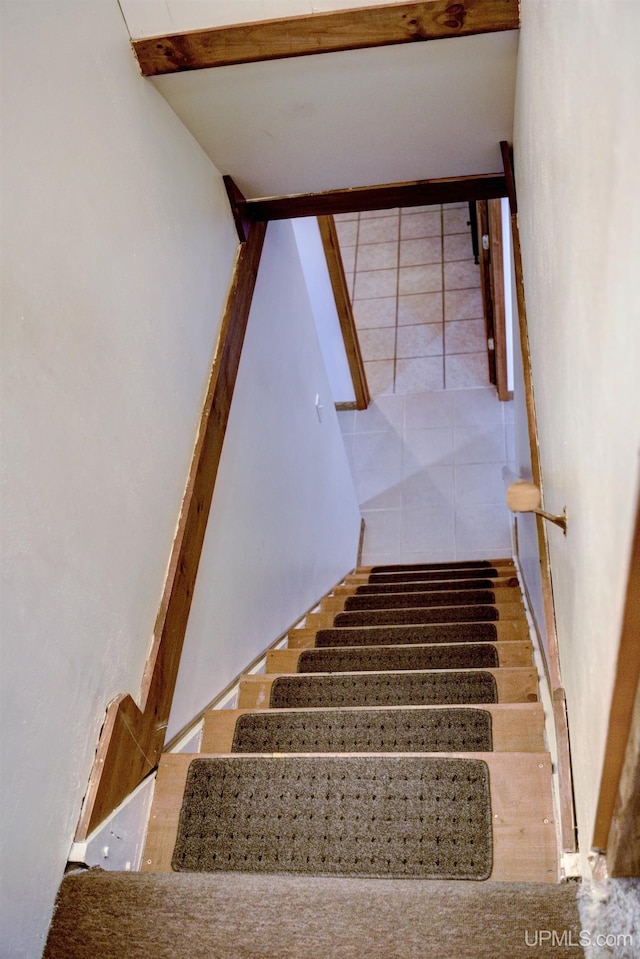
point(132, 737)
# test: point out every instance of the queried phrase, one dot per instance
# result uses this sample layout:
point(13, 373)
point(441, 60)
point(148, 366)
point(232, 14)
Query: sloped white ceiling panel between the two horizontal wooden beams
point(356, 118)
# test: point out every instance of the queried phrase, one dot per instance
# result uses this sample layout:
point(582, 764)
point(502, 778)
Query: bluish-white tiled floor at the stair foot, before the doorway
point(427, 467)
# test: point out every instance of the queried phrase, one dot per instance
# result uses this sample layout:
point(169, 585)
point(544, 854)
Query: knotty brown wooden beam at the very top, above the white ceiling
point(354, 29)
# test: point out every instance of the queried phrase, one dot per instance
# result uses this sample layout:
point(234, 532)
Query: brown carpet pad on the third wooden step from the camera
point(383, 689)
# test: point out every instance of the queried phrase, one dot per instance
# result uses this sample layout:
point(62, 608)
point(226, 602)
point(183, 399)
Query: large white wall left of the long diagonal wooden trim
point(117, 252)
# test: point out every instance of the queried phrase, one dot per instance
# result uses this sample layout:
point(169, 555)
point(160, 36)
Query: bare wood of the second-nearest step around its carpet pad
point(516, 727)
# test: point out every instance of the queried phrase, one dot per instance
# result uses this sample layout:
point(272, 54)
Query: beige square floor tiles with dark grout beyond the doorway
point(416, 298)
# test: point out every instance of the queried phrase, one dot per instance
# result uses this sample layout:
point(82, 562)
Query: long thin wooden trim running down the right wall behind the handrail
point(552, 659)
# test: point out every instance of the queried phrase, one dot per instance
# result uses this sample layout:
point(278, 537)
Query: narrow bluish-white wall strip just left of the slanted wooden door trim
point(323, 307)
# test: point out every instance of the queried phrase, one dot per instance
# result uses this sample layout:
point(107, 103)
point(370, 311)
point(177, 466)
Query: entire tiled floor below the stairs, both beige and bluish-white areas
point(427, 455)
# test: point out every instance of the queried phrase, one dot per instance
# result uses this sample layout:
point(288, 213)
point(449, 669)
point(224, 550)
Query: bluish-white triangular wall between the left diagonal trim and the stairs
point(285, 521)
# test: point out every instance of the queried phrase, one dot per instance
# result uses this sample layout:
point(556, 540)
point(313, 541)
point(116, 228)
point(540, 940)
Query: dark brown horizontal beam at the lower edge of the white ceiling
point(484, 186)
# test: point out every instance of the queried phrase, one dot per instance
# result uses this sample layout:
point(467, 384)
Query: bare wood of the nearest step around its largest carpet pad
point(524, 842)
